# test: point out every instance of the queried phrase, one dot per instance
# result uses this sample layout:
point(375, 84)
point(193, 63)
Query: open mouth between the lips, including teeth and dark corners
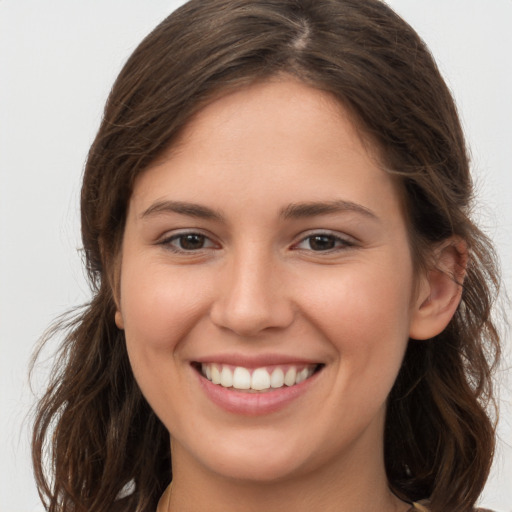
point(256, 380)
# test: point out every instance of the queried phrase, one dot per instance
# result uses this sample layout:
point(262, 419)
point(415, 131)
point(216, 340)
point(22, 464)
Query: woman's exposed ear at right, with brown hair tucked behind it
point(439, 290)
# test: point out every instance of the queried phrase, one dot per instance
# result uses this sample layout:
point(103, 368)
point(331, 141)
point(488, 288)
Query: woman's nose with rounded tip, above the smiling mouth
point(252, 296)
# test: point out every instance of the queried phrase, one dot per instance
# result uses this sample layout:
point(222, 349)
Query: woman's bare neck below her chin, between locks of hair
point(353, 485)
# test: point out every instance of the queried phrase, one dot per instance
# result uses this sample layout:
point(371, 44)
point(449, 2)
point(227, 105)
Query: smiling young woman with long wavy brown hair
point(292, 306)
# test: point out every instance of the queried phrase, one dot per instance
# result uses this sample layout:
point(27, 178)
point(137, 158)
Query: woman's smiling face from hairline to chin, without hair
point(267, 249)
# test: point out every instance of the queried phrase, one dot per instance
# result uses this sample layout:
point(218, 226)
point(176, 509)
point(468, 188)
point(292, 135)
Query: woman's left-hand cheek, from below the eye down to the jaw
point(161, 307)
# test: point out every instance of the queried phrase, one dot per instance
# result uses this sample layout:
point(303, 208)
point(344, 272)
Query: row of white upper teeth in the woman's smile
point(261, 379)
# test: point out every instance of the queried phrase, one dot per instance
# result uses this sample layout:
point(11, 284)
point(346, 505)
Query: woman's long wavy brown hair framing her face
point(99, 431)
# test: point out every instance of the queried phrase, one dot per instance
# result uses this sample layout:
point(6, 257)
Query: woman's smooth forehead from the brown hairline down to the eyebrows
point(276, 141)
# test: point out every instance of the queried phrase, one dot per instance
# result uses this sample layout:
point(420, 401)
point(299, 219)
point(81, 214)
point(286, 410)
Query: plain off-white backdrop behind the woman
point(58, 59)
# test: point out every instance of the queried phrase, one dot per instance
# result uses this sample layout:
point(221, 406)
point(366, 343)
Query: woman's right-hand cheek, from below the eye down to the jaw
point(365, 318)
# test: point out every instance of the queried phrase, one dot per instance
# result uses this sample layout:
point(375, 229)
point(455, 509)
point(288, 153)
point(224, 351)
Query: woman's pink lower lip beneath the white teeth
point(254, 404)
